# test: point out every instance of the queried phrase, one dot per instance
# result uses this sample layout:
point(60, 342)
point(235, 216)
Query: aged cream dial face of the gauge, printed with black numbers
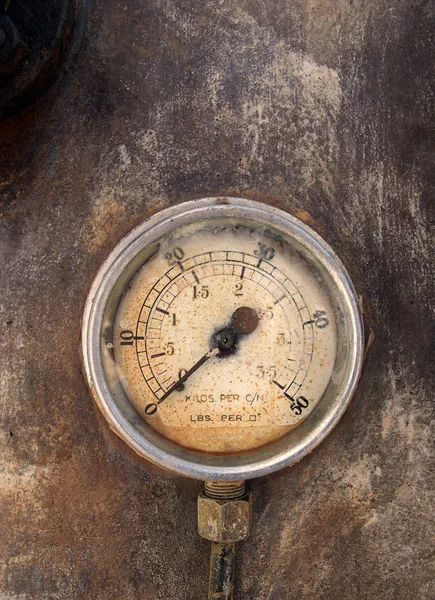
point(180, 304)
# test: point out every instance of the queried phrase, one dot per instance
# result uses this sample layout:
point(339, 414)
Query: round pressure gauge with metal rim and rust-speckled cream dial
point(222, 339)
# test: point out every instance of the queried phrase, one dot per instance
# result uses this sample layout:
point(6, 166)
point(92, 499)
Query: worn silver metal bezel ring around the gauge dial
point(147, 442)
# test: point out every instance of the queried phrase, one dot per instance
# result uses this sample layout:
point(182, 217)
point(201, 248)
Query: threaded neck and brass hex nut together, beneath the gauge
point(224, 511)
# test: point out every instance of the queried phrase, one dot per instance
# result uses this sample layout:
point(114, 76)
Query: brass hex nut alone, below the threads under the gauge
point(224, 520)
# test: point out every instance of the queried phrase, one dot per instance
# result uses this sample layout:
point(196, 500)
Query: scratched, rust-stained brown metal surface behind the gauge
point(323, 108)
